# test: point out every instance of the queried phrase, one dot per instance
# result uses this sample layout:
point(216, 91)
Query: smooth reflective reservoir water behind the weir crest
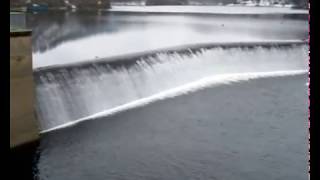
point(71, 37)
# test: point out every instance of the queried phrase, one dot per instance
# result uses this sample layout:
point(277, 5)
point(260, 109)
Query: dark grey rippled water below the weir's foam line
point(250, 130)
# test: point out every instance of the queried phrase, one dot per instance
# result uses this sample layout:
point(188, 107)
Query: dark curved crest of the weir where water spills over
point(130, 59)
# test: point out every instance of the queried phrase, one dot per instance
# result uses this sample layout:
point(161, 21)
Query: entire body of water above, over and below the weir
point(223, 96)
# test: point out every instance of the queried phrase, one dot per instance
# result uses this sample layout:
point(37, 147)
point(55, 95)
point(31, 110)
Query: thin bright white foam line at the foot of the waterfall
point(184, 89)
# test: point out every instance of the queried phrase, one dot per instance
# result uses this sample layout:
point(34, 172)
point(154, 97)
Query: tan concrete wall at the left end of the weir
point(23, 124)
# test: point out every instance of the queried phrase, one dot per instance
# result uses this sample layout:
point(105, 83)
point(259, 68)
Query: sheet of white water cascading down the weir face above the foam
point(66, 94)
